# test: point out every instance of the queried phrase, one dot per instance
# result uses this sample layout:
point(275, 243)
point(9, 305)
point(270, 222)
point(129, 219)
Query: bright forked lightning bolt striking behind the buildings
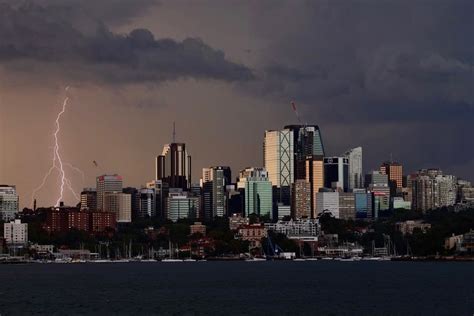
point(58, 164)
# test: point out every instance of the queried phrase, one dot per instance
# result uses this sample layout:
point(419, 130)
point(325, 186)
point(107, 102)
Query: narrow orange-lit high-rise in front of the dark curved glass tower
point(315, 177)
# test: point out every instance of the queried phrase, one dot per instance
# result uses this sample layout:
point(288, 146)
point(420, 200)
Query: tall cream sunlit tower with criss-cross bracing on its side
point(278, 152)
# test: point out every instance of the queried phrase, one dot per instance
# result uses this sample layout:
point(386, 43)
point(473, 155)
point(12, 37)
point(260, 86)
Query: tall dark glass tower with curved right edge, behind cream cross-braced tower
point(307, 141)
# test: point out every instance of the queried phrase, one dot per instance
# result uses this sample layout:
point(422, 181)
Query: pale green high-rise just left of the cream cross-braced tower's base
point(258, 195)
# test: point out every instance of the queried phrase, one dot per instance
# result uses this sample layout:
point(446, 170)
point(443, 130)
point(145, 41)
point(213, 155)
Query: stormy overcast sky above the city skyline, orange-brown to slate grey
point(395, 77)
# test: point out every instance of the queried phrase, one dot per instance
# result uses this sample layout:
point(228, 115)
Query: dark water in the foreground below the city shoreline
point(239, 288)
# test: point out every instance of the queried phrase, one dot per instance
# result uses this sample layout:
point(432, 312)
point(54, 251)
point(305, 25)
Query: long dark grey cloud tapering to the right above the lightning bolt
point(43, 34)
